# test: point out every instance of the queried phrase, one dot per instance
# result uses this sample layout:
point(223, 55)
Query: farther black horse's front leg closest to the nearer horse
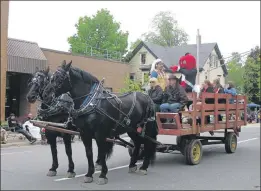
point(68, 149)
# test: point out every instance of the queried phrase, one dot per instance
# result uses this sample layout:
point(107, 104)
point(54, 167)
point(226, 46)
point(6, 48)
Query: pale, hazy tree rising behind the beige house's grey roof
point(165, 31)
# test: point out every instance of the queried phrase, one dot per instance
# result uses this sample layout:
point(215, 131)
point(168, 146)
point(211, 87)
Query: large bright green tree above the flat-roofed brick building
point(102, 33)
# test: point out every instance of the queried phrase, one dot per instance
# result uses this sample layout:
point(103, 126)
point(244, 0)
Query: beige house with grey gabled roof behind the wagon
point(211, 64)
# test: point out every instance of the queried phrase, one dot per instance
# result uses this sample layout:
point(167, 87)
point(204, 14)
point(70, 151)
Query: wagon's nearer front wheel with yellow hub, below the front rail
point(193, 152)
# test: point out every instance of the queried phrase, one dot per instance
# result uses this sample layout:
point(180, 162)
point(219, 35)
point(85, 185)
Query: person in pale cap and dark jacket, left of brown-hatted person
point(156, 93)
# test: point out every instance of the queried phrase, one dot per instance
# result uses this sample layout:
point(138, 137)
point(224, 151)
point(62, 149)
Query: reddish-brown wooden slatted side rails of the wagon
point(215, 108)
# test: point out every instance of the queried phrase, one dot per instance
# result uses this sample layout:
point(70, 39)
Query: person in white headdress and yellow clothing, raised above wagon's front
point(157, 71)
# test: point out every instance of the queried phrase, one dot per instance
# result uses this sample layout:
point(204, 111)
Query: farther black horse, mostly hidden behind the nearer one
point(36, 86)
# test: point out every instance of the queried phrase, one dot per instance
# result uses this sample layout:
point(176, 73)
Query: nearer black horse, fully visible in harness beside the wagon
point(103, 115)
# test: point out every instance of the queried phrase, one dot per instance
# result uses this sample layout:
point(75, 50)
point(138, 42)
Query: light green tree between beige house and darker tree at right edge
point(236, 71)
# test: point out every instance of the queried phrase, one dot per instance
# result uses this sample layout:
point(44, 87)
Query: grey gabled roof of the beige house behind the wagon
point(171, 55)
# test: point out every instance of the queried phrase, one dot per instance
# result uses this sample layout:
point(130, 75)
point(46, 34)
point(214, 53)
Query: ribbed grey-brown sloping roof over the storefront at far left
point(24, 49)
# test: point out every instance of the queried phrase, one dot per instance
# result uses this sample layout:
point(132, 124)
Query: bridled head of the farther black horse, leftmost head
point(37, 84)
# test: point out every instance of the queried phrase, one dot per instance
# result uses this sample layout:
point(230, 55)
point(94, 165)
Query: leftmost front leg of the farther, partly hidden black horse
point(52, 141)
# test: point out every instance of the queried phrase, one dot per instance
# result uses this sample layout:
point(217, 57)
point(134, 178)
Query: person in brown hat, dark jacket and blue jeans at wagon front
point(174, 97)
